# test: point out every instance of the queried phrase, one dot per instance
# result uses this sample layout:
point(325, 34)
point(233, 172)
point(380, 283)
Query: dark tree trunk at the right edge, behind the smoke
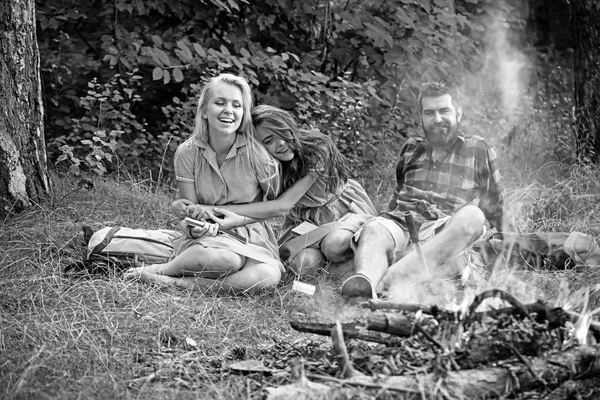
point(586, 34)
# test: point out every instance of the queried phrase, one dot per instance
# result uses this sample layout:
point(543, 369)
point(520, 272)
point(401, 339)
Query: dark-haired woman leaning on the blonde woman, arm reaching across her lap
point(317, 190)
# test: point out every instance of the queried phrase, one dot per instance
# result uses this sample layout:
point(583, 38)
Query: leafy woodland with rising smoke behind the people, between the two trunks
point(121, 78)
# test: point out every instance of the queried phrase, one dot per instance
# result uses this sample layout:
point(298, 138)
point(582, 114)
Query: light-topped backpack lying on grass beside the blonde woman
point(115, 249)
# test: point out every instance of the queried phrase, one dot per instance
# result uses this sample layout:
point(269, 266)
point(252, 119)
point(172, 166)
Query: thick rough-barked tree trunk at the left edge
point(23, 174)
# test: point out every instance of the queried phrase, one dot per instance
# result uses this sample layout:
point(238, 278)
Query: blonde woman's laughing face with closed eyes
point(224, 111)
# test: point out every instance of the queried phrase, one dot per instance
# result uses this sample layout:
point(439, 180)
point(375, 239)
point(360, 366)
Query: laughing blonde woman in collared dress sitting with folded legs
point(222, 164)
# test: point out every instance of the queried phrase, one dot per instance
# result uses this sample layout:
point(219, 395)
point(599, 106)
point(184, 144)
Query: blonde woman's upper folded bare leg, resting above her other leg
point(207, 262)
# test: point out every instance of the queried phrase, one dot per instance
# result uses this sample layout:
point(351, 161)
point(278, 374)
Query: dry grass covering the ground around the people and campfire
point(106, 338)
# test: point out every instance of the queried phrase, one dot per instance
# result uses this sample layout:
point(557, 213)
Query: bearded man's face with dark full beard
point(440, 119)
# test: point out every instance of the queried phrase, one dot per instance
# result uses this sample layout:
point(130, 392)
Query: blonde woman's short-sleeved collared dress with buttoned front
point(236, 181)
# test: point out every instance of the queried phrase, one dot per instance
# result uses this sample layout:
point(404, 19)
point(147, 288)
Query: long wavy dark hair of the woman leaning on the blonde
point(313, 151)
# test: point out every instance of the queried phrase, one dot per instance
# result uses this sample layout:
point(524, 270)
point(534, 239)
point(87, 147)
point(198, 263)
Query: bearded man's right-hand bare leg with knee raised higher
point(464, 226)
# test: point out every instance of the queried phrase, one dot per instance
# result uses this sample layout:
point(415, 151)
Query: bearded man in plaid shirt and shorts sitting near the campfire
point(449, 185)
